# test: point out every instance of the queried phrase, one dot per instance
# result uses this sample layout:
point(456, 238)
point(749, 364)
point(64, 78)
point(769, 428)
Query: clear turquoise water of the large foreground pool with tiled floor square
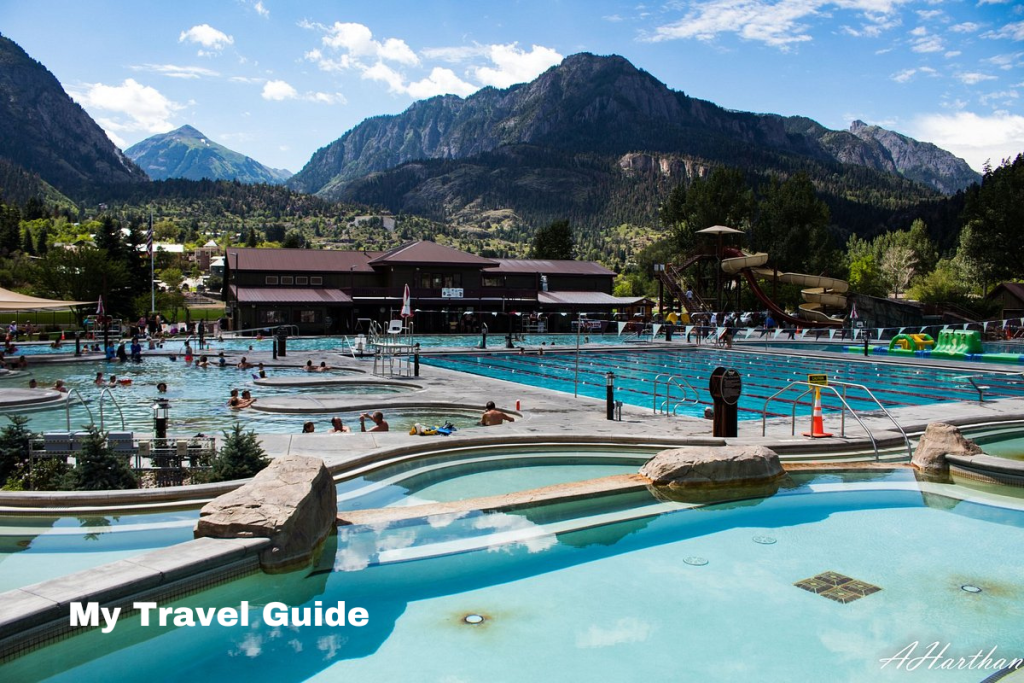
point(687, 595)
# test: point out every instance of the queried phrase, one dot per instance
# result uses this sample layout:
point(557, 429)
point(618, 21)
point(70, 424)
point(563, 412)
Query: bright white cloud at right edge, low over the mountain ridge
point(975, 139)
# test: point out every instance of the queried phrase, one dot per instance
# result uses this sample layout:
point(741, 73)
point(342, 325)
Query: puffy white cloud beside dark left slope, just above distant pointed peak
point(136, 107)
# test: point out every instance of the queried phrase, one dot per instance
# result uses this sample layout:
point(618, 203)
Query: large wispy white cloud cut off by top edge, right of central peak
point(782, 24)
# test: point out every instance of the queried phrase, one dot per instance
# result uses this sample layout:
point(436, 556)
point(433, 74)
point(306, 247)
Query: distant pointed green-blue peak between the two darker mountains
point(186, 153)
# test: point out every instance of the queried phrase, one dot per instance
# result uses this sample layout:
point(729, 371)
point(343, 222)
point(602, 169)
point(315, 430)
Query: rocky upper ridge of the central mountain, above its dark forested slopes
point(603, 105)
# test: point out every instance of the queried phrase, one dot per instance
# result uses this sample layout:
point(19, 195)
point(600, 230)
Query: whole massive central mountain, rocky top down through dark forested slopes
point(451, 156)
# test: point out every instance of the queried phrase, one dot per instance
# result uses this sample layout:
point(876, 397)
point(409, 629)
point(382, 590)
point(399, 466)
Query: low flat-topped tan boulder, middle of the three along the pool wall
point(713, 466)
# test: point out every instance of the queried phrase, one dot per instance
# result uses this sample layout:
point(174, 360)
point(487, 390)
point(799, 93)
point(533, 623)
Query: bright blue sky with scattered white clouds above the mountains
point(278, 80)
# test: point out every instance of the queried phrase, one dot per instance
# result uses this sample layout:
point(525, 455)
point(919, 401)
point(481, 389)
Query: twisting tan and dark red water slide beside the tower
point(820, 292)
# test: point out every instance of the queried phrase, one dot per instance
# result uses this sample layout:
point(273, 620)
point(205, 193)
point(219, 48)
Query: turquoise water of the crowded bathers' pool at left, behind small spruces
point(198, 398)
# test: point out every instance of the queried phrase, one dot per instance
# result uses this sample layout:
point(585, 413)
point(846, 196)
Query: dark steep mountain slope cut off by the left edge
point(47, 134)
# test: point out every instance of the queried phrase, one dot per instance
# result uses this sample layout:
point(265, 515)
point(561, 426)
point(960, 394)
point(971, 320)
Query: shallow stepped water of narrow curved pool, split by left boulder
point(37, 548)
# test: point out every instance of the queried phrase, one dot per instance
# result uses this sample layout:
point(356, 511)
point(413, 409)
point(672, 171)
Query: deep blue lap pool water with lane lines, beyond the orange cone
point(762, 374)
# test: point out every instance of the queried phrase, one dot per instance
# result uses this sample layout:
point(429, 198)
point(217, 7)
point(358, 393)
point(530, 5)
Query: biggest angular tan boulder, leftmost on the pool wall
point(293, 502)
